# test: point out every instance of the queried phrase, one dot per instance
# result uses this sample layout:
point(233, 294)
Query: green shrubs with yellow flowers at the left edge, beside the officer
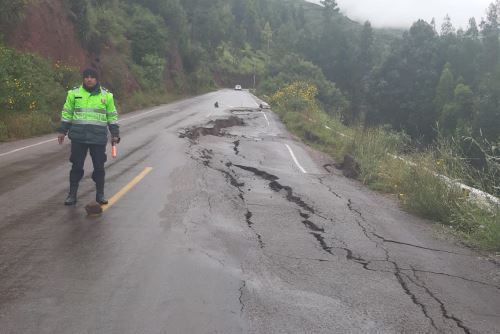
point(32, 90)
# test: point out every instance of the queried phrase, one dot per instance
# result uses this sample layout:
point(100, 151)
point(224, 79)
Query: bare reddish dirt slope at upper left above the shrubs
point(47, 30)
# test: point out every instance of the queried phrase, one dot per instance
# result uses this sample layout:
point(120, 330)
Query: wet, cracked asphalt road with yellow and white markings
point(244, 232)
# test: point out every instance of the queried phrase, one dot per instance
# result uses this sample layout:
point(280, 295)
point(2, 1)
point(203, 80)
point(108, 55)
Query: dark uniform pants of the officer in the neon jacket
point(77, 158)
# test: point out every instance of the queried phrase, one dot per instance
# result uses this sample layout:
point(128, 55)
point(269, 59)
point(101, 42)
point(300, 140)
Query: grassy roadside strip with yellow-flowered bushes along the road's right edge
point(413, 177)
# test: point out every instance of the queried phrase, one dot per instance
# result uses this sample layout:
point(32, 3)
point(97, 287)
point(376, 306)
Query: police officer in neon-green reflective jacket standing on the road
point(87, 115)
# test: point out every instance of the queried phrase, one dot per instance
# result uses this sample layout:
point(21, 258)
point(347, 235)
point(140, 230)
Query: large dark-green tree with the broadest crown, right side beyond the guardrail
point(402, 90)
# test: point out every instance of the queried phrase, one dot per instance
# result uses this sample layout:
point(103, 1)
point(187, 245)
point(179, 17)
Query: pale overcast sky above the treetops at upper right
point(402, 13)
